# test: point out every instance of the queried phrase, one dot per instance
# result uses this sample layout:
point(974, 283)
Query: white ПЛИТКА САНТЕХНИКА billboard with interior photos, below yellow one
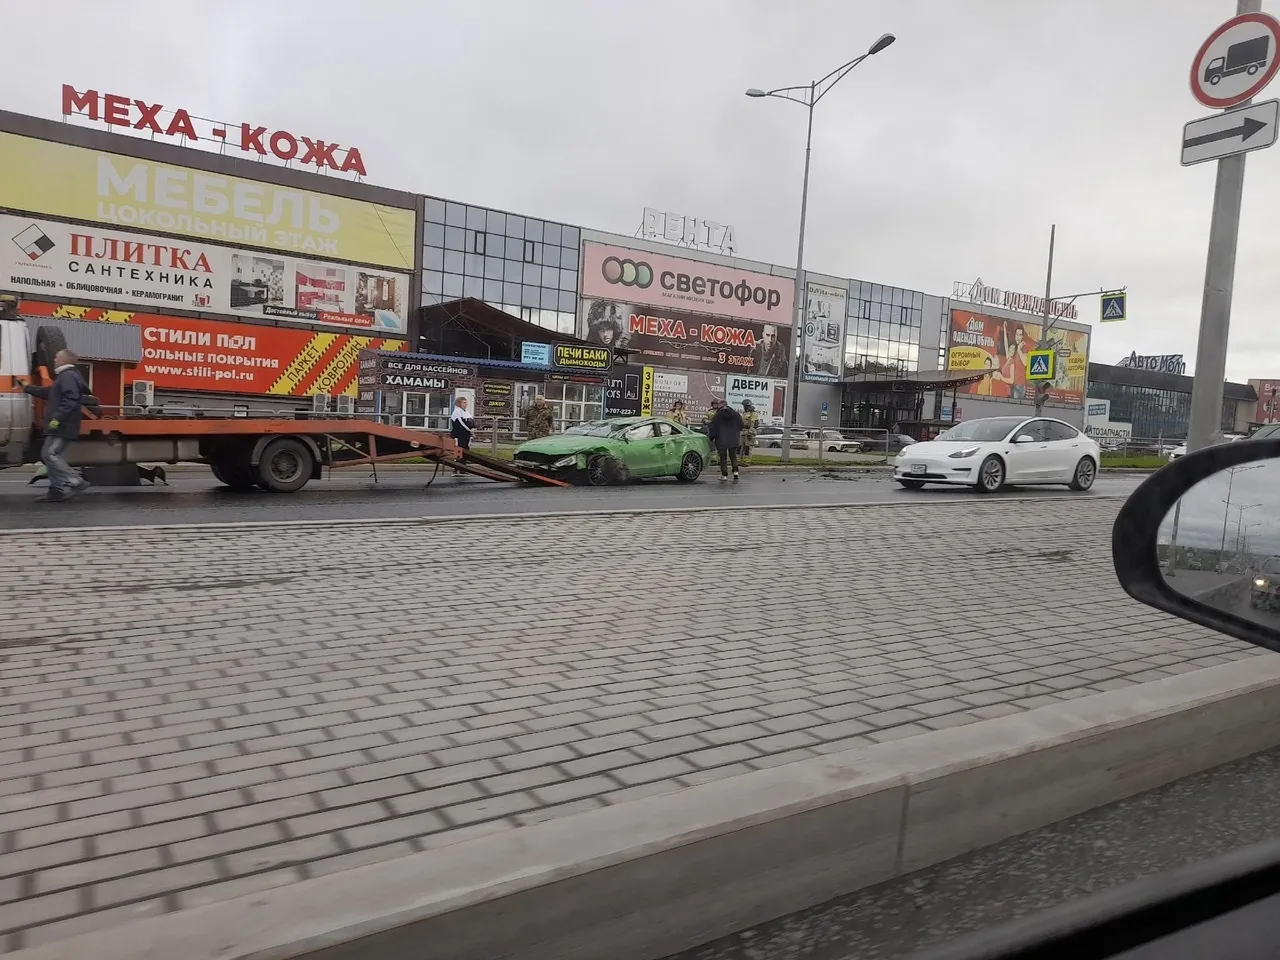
point(89, 263)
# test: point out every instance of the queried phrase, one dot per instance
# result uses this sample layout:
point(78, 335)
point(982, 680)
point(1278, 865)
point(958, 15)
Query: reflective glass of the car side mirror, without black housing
point(1220, 545)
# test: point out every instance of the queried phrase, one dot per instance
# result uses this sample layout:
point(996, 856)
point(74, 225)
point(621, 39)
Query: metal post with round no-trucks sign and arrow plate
point(1237, 62)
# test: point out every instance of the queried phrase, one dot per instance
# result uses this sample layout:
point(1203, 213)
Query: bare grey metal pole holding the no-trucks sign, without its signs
point(1219, 281)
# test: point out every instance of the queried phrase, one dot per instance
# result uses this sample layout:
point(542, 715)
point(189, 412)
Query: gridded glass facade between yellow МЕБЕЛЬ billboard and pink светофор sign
point(519, 264)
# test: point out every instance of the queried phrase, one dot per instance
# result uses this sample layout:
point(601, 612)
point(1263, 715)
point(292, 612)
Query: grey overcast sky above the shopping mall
point(945, 158)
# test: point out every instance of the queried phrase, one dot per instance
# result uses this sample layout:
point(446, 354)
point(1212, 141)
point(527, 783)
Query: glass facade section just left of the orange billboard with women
point(883, 335)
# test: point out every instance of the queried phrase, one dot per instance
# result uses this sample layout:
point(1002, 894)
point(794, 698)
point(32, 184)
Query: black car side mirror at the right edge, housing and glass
point(1201, 540)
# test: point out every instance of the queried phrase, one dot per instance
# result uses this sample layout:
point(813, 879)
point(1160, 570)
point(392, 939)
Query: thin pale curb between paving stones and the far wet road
point(510, 518)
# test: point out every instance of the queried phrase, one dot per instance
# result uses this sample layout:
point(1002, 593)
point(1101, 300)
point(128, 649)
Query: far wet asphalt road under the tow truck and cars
point(196, 497)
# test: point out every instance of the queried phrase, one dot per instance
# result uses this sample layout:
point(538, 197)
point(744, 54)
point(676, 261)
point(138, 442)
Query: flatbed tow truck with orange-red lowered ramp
point(275, 454)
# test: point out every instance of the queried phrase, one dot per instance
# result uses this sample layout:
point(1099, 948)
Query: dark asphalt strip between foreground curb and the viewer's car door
point(1194, 820)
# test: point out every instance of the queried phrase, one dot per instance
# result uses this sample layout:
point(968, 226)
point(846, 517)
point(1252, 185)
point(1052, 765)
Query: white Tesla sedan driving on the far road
point(996, 451)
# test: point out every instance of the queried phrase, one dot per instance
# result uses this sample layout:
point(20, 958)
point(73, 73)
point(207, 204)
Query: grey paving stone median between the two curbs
point(194, 716)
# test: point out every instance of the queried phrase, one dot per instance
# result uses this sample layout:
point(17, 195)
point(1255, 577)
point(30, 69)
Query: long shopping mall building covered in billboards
point(267, 287)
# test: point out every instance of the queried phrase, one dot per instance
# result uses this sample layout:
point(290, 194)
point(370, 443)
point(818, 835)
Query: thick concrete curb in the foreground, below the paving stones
point(652, 877)
